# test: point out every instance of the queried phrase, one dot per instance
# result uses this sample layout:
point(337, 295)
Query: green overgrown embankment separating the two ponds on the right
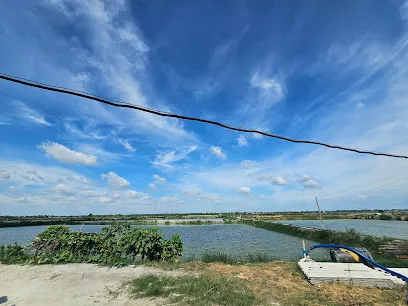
point(350, 238)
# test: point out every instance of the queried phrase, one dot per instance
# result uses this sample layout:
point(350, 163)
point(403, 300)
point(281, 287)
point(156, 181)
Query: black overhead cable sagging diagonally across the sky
point(171, 115)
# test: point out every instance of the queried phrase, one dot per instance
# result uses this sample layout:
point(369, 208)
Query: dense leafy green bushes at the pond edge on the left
point(118, 244)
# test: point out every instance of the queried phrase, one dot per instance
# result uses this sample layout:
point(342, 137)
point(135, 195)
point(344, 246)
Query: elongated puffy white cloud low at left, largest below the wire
point(66, 155)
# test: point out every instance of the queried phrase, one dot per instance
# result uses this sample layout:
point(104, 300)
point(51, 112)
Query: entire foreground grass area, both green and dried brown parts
point(276, 282)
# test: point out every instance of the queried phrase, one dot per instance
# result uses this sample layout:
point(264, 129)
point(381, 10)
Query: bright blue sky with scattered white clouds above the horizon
point(332, 71)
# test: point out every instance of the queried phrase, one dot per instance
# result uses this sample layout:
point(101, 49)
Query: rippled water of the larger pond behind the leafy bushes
point(237, 240)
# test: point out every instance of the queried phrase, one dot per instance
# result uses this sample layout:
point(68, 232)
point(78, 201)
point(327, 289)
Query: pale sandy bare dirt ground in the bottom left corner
point(71, 284)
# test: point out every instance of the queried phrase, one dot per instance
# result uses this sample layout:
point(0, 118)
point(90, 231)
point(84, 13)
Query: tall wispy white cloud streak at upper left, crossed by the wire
point(118, 60)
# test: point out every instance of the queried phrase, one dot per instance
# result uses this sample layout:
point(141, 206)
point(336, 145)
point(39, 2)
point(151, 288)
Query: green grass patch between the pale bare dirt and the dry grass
point(205, 289)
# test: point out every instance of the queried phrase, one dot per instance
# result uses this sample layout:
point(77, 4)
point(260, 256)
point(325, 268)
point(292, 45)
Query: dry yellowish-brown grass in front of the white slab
point(283, 283)
